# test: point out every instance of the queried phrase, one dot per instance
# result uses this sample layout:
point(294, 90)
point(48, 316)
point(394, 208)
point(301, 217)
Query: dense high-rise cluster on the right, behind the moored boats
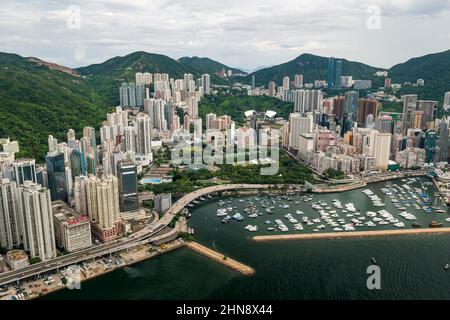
point(351, 134)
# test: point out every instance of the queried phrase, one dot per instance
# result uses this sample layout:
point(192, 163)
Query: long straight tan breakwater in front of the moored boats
point(351, 234)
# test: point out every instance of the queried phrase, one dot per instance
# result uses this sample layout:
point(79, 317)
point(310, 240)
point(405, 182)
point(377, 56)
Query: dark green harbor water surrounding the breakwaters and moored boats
point(412, 266)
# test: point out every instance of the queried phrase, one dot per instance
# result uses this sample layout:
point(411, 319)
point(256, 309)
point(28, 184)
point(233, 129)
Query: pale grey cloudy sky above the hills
point(247, 34)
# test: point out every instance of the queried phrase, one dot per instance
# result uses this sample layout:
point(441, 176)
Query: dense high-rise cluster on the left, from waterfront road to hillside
point(87, 188)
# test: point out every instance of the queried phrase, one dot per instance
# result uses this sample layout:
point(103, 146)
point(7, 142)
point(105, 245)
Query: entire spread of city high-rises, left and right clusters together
point(88, 185)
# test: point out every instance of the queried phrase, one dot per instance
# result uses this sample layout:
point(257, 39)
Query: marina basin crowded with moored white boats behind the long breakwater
point(403, 204)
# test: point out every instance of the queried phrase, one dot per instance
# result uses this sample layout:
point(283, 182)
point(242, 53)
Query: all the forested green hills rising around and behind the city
point(38, 99)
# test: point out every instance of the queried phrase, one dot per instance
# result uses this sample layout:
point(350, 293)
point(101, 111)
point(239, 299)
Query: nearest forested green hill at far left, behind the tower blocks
point(36, 101)
